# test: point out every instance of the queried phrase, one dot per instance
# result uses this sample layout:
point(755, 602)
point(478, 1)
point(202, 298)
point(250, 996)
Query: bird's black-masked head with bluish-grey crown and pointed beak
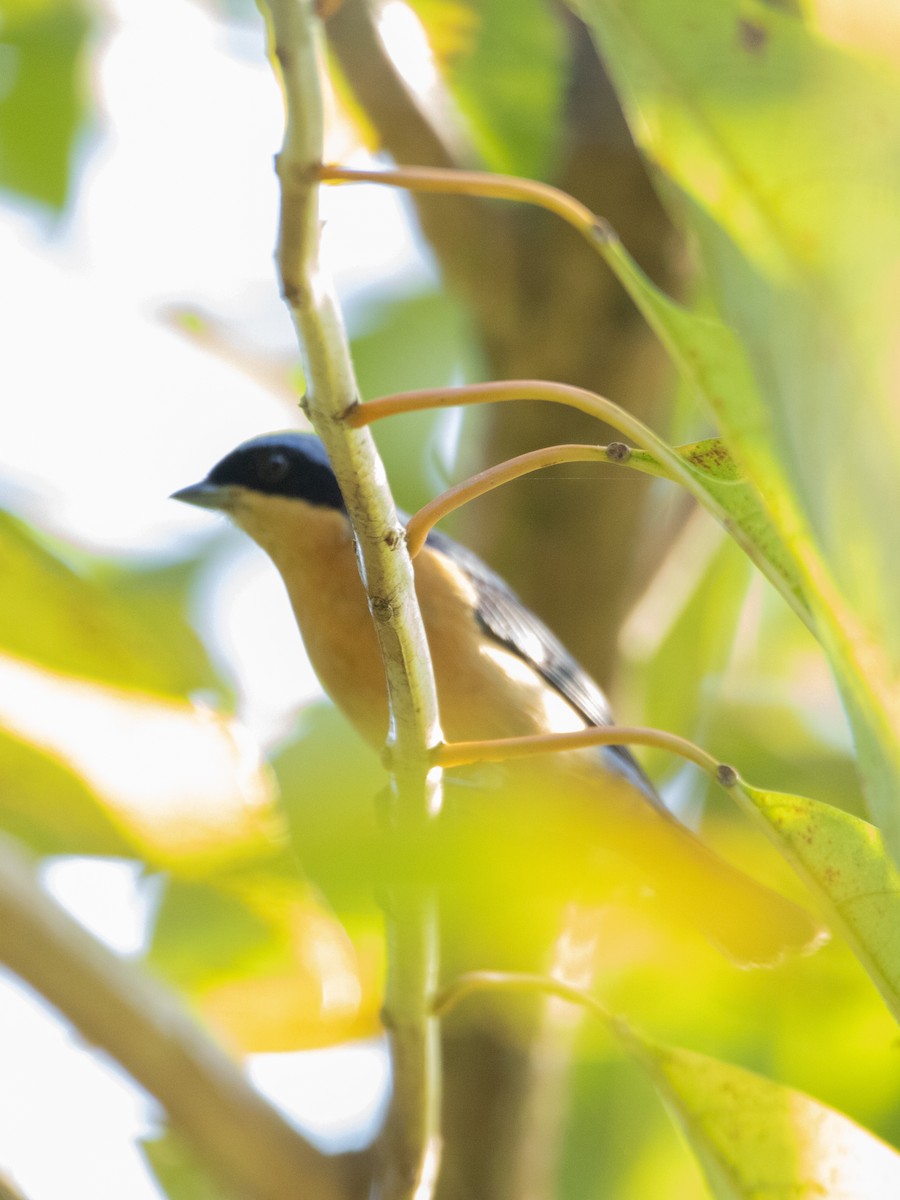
point(290, 465)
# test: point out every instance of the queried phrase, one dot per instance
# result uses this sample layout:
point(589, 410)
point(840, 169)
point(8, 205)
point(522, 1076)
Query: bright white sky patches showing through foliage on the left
point(107, 412)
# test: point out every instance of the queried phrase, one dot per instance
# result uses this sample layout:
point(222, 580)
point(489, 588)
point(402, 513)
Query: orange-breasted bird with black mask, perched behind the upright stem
point(500, 673)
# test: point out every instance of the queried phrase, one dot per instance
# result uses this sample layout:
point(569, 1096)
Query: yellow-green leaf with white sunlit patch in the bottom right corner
point(759, 1139)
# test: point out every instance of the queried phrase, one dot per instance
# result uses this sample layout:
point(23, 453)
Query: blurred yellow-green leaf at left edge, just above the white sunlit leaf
point(51, 615)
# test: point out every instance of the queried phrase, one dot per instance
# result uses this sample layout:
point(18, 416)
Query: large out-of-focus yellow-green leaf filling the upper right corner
point(782, 154)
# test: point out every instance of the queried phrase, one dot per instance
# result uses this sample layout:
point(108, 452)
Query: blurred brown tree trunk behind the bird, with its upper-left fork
point(544, 307)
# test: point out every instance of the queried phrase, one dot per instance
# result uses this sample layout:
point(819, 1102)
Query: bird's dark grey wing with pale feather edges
point(505, 619)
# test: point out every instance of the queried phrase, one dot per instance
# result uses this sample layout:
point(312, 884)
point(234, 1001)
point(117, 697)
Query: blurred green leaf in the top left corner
point(44, 95)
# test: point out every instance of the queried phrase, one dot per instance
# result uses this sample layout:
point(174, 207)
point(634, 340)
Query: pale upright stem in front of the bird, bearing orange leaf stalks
point(411, 1139)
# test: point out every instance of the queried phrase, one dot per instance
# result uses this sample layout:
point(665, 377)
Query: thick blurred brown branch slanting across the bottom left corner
point(233, 1130)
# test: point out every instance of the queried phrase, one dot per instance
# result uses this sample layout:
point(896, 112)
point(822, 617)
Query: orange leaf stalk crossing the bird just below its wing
point(460, 754)
